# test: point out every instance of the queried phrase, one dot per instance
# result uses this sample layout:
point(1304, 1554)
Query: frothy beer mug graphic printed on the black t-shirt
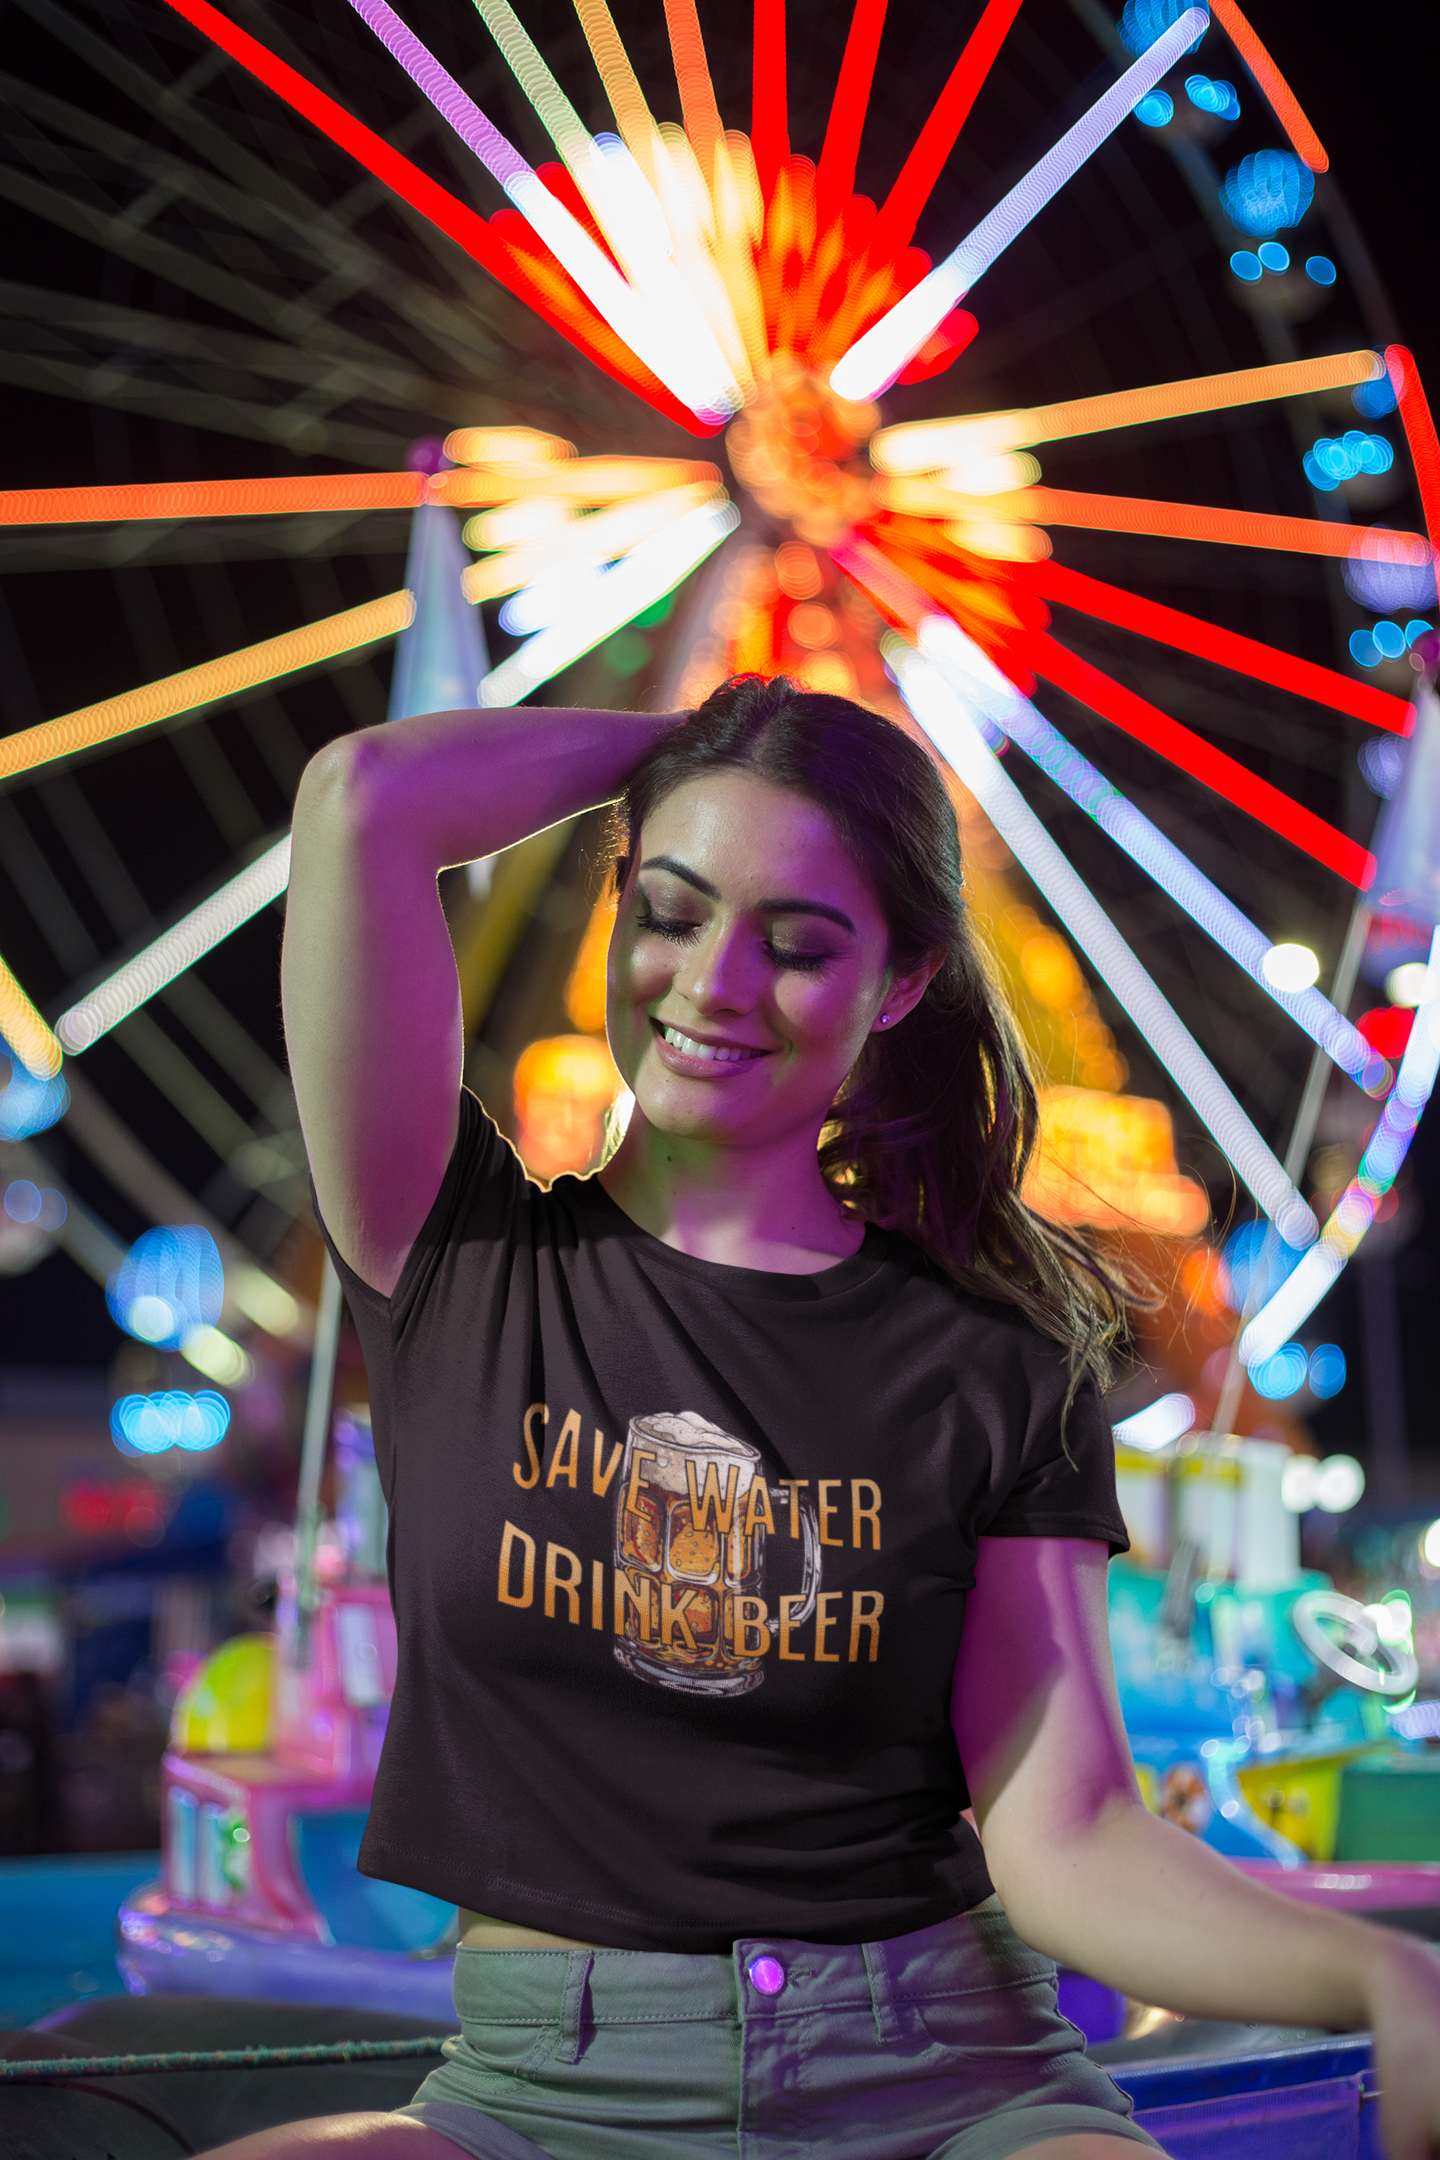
point(692, 1558)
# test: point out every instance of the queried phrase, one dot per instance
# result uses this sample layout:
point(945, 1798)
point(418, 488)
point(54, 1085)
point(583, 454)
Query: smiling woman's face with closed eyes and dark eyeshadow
point(748, 967)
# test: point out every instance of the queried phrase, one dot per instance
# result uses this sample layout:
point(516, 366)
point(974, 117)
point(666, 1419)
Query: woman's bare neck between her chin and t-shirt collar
point(744, 1206)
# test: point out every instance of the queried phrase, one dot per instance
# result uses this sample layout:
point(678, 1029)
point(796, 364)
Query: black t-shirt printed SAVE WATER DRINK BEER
point(679, 1558)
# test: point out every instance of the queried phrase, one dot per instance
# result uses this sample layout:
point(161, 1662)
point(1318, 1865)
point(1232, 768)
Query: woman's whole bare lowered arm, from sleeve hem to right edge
point(1109, 1889)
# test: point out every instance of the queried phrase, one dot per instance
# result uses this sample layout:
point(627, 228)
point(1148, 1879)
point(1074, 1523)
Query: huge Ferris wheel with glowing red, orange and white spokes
point(1119, 487)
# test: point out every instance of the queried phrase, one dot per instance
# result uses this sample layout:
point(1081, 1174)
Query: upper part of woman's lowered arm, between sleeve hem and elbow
point(1035, 1705)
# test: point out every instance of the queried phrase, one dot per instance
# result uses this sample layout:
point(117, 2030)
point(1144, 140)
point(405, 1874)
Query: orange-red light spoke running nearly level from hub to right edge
point(1143, 515)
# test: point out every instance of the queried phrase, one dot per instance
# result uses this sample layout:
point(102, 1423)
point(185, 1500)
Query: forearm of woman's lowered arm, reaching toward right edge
point(1150, 1911)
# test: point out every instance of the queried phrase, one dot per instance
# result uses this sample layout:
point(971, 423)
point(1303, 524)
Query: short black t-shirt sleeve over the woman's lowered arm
point(1065, 1476)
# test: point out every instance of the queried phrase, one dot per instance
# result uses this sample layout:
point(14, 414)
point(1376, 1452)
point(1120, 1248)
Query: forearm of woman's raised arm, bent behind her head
point(450, 787)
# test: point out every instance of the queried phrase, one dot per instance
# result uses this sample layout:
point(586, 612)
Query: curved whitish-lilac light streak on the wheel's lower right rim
point(1355, 1211)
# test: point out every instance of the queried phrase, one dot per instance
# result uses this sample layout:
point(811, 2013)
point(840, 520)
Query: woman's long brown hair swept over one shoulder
point(938, 1120)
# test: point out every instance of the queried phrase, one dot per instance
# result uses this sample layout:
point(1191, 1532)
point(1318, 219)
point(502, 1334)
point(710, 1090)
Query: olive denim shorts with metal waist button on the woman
point(936, 2047)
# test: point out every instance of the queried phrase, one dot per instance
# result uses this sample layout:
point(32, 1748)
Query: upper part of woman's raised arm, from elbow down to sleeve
point(372, 1012)
